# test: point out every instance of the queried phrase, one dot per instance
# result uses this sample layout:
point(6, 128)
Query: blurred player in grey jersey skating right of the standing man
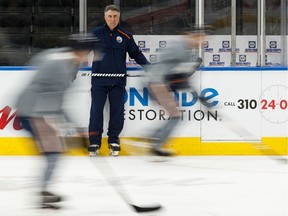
point(177, 64)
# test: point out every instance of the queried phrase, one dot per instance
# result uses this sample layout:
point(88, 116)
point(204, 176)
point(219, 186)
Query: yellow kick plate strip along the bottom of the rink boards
point(183, 146)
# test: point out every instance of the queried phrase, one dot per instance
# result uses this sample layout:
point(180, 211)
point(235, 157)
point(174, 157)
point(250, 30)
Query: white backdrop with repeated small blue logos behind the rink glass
point(217, 49)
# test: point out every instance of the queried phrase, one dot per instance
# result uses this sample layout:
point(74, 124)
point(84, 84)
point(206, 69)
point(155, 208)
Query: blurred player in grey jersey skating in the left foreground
point(39, 106)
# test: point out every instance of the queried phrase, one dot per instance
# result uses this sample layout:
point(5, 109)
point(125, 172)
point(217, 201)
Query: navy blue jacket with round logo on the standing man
point(115, 45)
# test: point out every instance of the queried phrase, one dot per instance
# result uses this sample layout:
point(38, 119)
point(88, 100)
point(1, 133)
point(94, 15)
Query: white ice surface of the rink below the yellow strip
point(184, 186)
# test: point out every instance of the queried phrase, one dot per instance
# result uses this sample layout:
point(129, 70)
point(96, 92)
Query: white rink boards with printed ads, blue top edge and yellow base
point(246, 109)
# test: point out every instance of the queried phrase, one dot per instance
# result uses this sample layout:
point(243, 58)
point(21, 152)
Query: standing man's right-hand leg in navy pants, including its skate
point(116, 122)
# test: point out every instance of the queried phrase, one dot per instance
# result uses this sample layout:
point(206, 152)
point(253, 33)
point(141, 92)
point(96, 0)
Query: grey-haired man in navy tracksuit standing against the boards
point(116, 43)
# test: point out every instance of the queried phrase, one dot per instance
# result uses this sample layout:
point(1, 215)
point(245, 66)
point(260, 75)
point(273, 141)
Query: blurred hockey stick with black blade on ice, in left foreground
point(108, 173)
